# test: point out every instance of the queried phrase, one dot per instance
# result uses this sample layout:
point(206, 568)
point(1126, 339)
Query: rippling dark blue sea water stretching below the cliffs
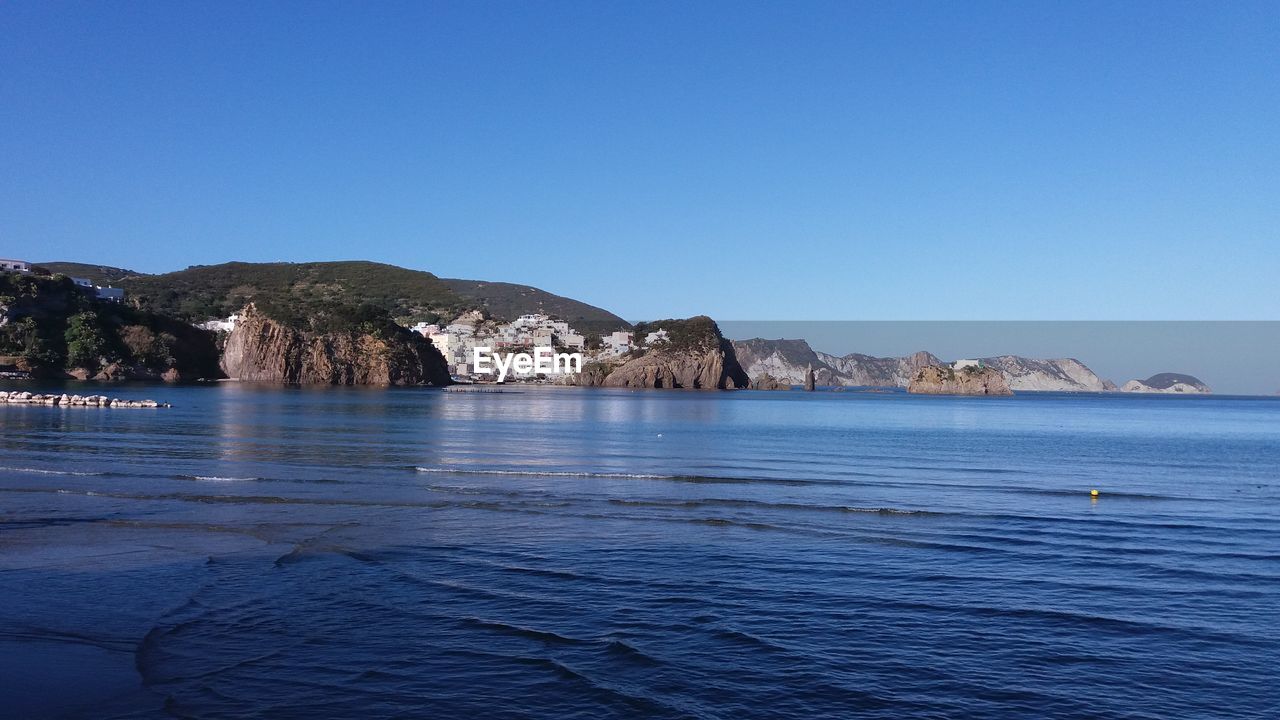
point(560, 553)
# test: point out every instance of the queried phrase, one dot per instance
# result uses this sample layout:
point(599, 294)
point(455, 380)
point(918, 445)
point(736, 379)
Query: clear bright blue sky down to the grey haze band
point(749, 161)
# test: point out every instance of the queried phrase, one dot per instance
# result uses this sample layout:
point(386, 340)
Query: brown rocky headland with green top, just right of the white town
point(694, 357)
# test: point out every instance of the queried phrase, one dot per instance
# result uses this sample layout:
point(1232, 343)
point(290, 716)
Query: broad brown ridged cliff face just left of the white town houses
point(264, 350)
